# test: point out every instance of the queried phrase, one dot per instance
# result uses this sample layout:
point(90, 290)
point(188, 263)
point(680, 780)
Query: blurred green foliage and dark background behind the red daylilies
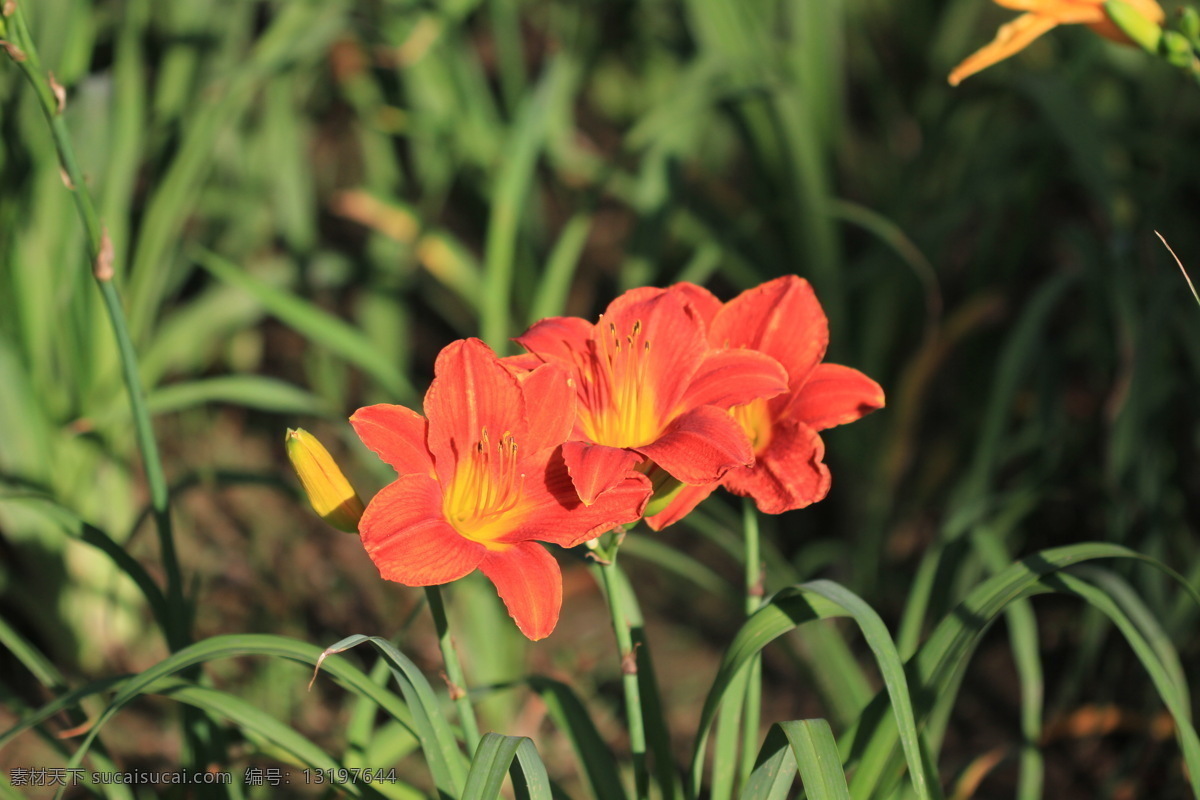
point(308, 200)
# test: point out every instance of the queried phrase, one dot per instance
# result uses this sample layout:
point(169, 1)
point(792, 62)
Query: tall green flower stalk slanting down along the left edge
point(25, 53)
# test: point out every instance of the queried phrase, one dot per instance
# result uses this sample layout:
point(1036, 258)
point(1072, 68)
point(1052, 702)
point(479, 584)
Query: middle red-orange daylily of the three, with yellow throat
point(651, 388)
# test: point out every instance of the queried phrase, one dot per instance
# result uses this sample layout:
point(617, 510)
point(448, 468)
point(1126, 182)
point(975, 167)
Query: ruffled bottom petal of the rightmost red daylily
point(789, 474)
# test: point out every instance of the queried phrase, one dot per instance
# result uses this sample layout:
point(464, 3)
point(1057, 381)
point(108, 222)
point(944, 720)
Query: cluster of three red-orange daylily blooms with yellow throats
point(668, 396)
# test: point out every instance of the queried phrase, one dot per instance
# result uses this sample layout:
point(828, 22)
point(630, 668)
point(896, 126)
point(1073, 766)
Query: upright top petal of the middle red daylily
point(675, 338)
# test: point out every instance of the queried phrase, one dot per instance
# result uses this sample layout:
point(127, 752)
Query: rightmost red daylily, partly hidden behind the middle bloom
point(783, 320)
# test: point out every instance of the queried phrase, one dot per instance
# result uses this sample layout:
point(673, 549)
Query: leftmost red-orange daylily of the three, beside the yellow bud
point(482, 482)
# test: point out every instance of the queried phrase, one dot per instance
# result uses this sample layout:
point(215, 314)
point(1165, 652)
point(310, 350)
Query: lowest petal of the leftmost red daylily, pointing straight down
point(530, 584)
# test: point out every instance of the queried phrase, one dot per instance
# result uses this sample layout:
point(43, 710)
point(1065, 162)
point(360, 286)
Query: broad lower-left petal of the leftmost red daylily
point(409, 539)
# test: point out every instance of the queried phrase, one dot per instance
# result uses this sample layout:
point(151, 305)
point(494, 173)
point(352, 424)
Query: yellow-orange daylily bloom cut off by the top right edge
point(1042, 16)
